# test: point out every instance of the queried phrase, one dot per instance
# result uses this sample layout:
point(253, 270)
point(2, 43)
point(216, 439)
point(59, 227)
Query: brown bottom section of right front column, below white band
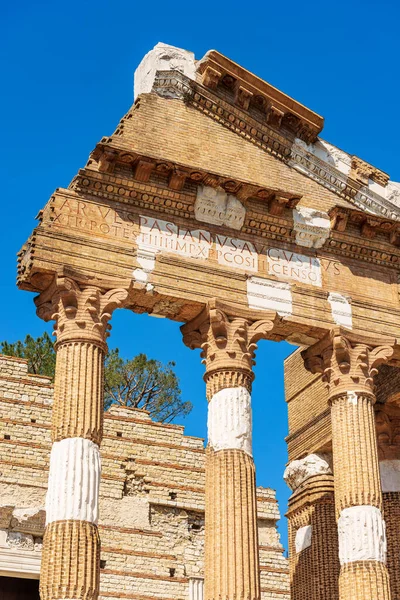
point(364, 580)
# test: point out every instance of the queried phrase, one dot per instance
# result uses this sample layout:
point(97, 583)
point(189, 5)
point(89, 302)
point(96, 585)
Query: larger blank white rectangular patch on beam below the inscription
point(266, 294)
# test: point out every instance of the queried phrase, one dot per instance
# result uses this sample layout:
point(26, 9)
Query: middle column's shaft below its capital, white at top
point(231, 545)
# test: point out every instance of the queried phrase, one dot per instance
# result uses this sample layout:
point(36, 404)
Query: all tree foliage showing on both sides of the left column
point(139, 382)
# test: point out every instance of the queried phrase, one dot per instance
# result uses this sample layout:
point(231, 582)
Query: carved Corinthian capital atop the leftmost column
point(81, 313)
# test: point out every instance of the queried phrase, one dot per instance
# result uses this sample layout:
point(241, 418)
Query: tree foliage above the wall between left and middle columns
point(144, 383)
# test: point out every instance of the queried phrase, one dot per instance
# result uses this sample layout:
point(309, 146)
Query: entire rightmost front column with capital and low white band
point(348, 364)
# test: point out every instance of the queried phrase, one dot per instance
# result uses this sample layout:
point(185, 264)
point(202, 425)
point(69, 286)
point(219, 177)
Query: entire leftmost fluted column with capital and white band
point(71, 547)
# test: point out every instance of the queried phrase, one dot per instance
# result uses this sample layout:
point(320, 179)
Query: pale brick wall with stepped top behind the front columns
point(151, 498)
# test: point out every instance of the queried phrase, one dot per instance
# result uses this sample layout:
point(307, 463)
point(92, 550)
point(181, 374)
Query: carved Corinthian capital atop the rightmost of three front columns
point(347, 361)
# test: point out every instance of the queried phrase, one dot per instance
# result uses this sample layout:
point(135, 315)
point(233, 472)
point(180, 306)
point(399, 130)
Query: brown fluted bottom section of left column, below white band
point(70, 562)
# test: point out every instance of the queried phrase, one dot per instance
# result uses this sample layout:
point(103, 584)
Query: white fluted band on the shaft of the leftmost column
point(74, 479)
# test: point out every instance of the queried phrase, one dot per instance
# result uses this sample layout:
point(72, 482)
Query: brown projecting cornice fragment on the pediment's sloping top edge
point(220, 74)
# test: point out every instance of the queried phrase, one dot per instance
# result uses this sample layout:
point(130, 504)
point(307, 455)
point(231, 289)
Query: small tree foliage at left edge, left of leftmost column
point(39, 353)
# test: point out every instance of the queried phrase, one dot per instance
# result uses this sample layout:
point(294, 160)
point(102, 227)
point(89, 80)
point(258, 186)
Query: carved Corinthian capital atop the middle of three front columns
point(228, 339)
